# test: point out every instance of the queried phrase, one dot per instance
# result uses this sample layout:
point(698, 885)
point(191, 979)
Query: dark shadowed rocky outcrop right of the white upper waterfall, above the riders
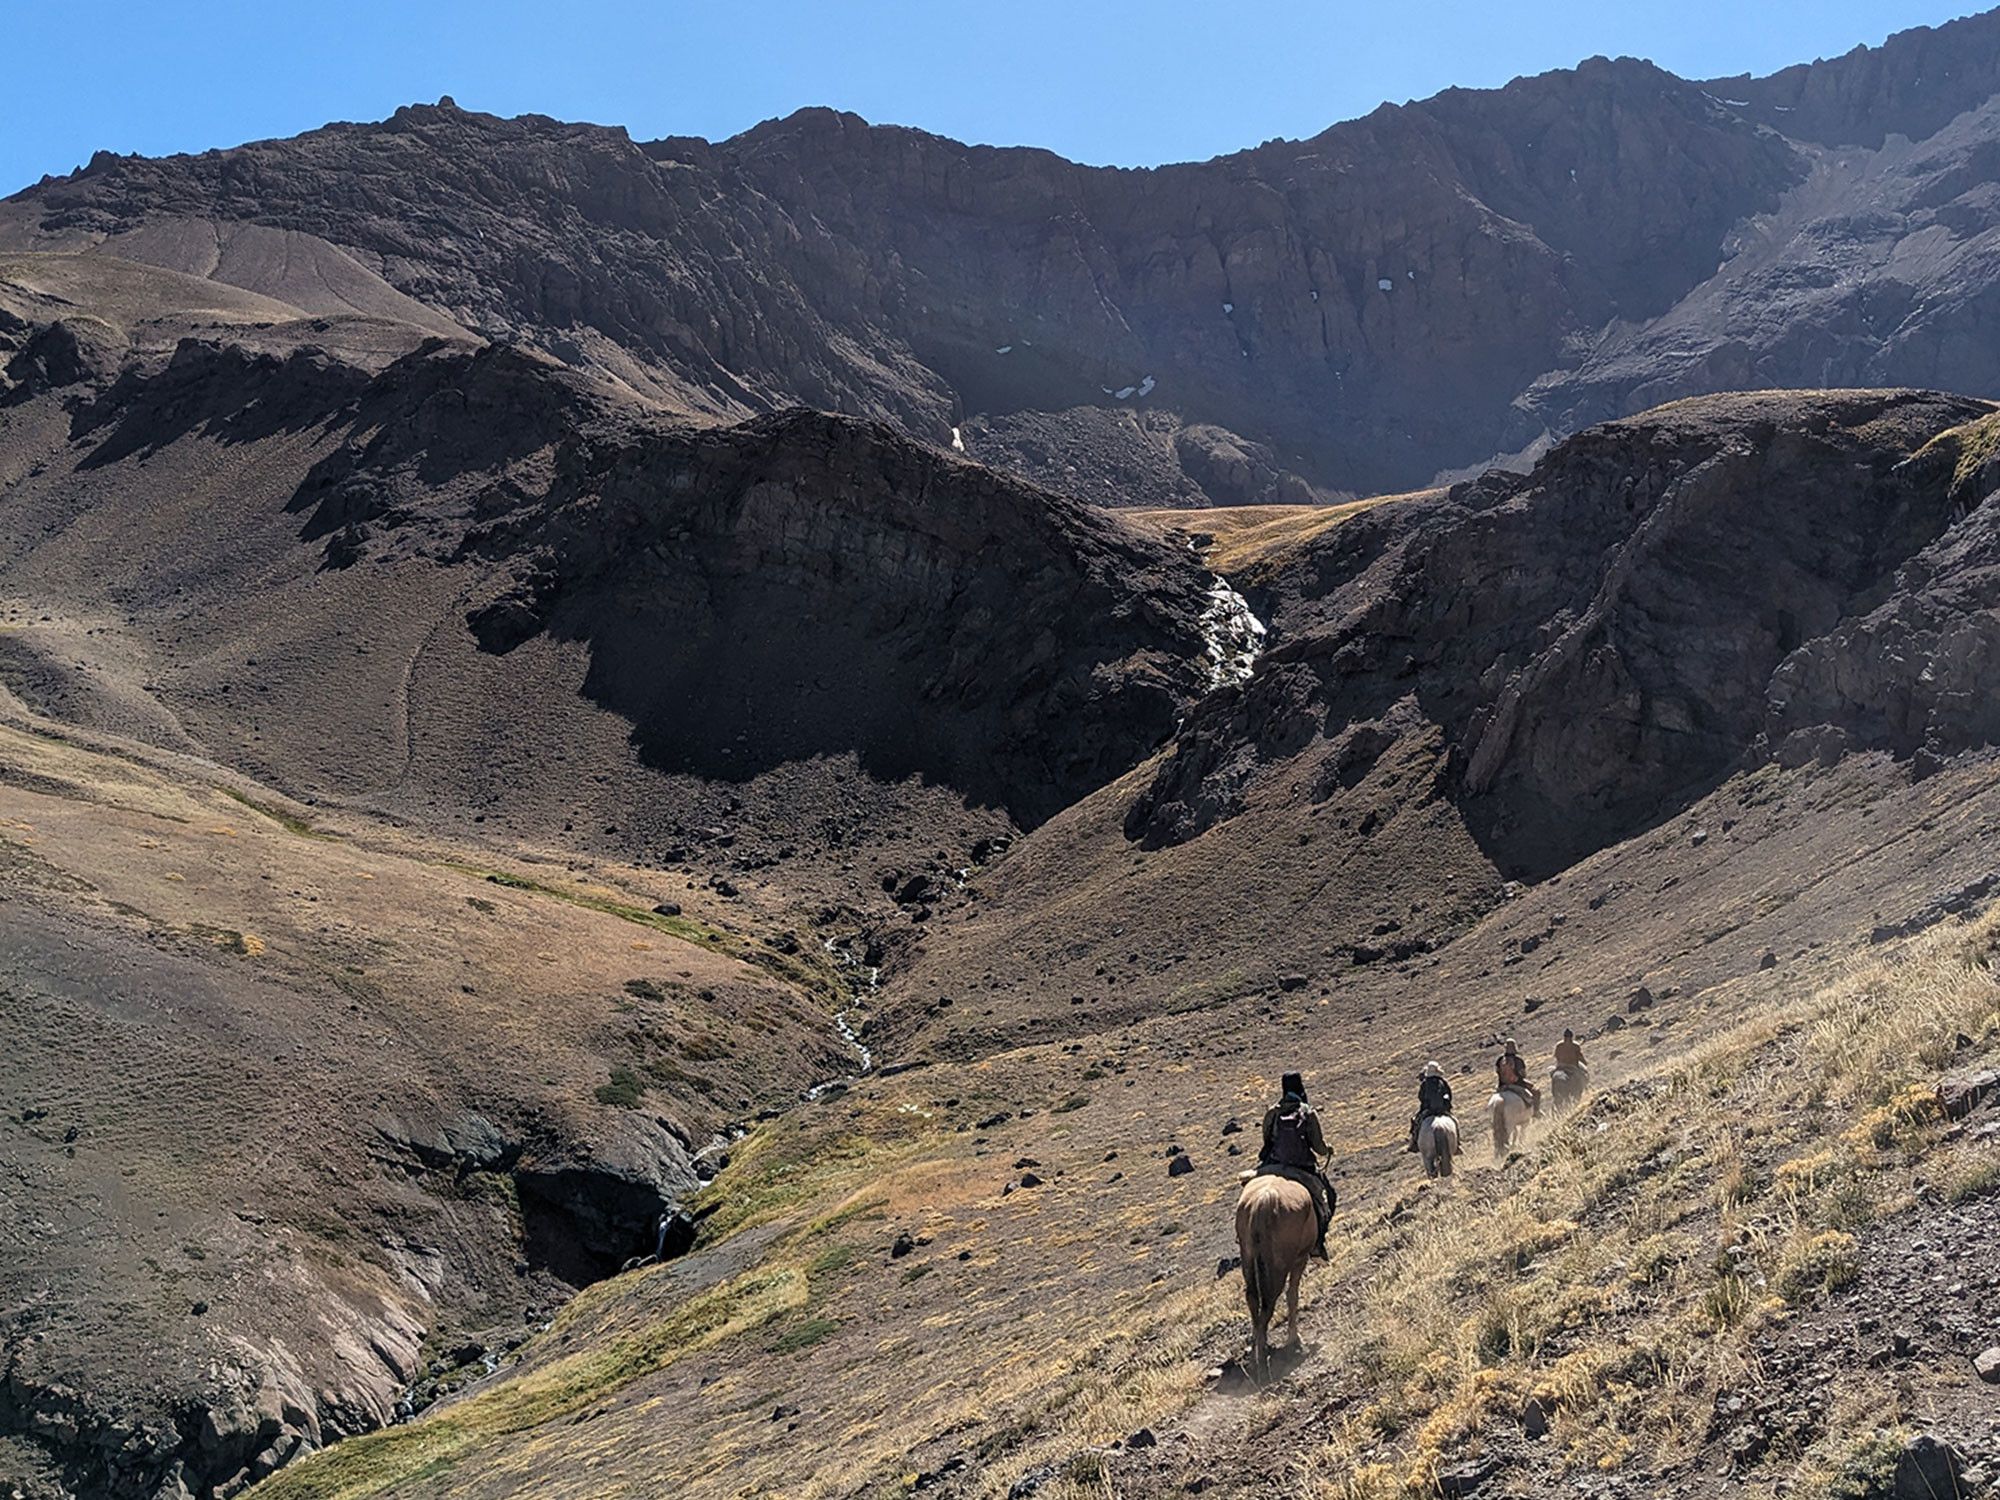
point(1601, 643)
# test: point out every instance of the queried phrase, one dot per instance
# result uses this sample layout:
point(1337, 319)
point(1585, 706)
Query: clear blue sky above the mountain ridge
point(1133, 83)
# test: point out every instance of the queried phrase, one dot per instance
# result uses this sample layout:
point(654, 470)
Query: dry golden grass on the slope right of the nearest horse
point(1621, 1279)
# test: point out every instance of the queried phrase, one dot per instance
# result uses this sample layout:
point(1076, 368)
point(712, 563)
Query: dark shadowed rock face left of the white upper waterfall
point(795, 589)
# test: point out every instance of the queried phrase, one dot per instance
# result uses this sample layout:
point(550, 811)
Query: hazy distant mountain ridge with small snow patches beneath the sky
point(1399, 297)
